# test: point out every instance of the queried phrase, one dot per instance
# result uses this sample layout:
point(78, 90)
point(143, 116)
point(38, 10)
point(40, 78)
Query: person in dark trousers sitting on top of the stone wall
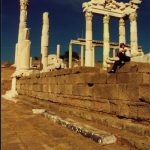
point(124, 56)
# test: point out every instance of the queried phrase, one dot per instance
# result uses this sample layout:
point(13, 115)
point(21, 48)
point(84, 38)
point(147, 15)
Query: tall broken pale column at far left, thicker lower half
point(22, 53)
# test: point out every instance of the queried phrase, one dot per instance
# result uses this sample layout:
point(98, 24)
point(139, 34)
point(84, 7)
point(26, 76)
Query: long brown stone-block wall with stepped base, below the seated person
point(118, 101)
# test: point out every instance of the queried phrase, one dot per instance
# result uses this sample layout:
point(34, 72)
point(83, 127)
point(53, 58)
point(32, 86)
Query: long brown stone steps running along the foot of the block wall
point(128, 133)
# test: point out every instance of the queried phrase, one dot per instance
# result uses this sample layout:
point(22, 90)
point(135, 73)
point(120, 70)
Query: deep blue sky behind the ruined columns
point(66, 22)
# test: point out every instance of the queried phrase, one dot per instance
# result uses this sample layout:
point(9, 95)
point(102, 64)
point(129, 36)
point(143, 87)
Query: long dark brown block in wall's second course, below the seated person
point(136, 78)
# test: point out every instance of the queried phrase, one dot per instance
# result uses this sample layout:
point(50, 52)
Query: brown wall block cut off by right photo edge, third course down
point(144, 93)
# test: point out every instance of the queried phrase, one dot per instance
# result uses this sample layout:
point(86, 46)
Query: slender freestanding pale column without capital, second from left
point(45, 41)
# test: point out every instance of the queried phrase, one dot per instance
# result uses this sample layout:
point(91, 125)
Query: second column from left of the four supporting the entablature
point(106, 46)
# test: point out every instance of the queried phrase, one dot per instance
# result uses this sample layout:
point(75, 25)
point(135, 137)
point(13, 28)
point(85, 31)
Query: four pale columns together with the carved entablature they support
point(108, 9)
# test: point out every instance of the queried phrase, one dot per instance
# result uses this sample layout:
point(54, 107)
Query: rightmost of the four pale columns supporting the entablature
point(133, 33)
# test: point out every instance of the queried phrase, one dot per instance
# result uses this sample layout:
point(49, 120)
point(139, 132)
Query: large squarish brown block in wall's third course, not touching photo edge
point(128, 92)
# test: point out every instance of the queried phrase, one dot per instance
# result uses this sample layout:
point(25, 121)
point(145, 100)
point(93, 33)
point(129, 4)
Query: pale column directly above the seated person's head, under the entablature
point(122, 36)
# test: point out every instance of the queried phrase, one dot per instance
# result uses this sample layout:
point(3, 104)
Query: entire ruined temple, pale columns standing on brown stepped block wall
point(119, 104)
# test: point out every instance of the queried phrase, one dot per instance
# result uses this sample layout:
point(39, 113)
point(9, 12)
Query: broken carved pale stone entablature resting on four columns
point(111, 7)
